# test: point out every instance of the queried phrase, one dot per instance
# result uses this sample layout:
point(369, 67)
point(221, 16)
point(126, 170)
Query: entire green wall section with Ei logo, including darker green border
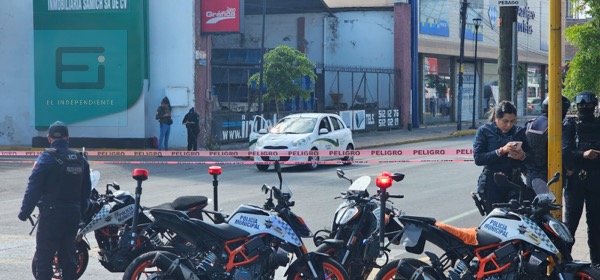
point(90, 61)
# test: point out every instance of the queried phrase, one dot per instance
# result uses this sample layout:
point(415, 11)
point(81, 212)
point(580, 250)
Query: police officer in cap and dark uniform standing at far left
point(60, 186)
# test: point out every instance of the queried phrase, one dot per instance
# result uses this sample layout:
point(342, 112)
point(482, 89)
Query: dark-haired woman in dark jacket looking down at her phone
point(497, 148)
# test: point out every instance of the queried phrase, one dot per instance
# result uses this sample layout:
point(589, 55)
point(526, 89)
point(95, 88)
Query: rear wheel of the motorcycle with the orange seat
point(405, 271)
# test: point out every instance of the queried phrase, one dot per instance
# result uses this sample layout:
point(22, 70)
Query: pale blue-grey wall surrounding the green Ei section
point(171, 59)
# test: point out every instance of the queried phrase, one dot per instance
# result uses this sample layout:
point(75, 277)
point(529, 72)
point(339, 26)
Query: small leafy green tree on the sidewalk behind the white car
point(284, 68)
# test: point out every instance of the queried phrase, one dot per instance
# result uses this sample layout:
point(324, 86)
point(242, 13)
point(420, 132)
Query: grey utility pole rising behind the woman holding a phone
point(508, 15)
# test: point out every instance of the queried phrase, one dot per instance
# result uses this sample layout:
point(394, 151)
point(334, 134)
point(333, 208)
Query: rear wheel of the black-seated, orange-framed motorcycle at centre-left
point(151, 266)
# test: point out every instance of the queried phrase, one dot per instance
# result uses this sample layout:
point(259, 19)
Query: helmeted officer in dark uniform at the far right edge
point(583, 185)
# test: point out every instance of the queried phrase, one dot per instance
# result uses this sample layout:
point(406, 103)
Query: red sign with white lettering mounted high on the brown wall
point(221, 16)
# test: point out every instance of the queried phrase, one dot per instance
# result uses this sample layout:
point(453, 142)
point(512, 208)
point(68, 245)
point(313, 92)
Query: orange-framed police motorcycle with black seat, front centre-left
point(252, 243)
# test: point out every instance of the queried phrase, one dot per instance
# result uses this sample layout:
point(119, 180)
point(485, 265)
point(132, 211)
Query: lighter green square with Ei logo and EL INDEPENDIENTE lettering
point(81, 75)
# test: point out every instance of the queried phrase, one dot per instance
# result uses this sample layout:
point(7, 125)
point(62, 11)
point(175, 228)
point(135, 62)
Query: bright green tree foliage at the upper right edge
point(583, 69)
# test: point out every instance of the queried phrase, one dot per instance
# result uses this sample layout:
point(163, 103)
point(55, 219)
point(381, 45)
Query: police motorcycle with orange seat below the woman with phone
point(517, 240)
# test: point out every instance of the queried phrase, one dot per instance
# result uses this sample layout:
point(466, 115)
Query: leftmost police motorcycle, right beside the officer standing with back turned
point(111, 218)
